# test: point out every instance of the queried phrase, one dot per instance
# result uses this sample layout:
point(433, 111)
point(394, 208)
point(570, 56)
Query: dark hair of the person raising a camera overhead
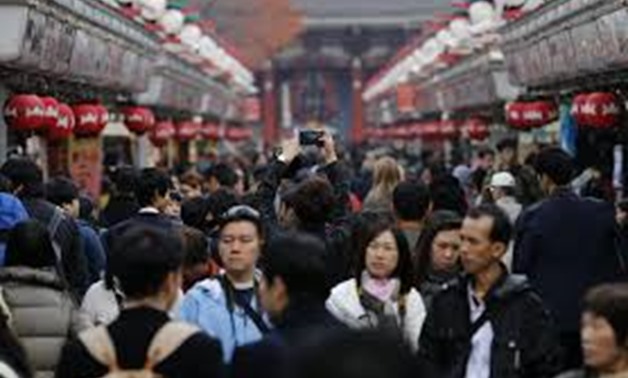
point(312, 200)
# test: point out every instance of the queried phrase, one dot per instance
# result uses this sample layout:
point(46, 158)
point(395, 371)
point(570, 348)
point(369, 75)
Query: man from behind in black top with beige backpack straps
point(147, 263)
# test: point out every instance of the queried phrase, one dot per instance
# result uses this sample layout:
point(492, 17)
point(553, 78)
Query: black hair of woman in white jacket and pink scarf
point(405, 268)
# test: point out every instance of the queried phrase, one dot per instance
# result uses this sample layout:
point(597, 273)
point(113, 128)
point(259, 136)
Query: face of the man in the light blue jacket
point(239, 246)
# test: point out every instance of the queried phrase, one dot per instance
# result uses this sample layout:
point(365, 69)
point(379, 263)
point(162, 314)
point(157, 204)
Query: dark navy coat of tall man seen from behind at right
point(566, 245)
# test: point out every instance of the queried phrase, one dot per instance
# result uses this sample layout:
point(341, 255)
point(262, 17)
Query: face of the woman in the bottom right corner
point(599, 344)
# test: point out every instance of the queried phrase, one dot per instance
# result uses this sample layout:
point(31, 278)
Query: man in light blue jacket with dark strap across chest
point(227, 306)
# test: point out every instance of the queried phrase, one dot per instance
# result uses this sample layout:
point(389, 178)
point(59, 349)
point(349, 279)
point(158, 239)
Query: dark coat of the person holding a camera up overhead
point(335, 233)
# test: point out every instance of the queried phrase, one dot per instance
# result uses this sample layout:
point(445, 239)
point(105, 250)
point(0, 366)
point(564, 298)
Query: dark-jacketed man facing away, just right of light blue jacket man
point(293, 292)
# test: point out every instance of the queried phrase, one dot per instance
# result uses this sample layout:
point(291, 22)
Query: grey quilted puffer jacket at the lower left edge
point(42, 312)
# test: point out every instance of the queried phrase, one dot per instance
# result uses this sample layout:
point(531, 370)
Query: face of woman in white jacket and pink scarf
point(382, 255)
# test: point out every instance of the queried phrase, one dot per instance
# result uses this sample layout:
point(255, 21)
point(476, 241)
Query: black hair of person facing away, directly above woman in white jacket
point(411, 201)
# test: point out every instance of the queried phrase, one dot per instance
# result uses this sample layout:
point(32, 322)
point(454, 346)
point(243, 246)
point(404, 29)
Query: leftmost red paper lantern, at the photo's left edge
point(25, 112)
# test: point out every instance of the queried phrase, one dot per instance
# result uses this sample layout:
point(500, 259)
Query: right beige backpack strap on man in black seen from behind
point(166, 341)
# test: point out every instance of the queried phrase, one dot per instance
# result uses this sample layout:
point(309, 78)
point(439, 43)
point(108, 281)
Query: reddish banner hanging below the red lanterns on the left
point(86, 164)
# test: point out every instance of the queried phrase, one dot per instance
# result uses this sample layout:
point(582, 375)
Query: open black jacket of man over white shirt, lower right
point(524, 344)
